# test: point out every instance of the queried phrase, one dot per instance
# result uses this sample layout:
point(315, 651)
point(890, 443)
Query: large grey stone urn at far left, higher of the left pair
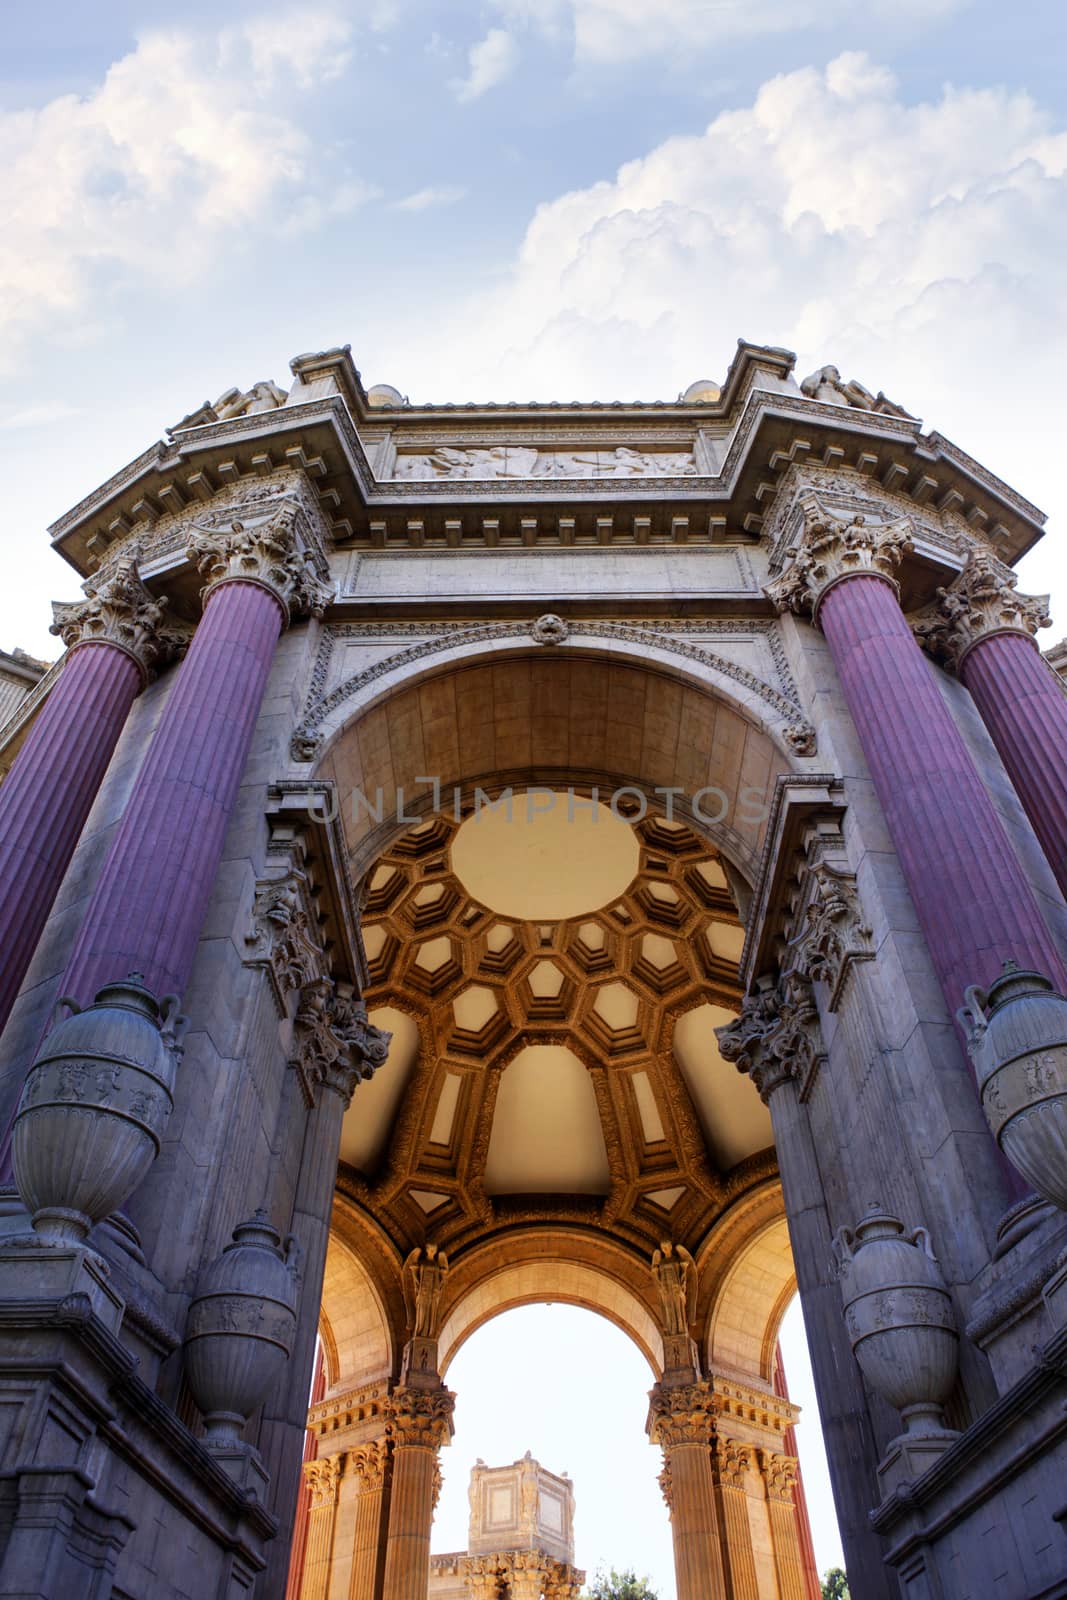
point(95, 1106)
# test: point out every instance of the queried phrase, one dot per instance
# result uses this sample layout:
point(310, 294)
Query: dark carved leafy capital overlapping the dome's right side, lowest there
point(778, 1038)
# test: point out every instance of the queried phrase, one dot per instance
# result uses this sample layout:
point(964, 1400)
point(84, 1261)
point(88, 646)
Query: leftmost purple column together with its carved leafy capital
point(114, 639)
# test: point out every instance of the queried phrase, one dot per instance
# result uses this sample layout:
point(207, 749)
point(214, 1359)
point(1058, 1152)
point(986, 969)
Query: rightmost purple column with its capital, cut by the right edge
point(988, 633)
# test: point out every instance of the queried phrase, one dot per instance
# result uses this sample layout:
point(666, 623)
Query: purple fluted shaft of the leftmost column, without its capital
point(49, 793)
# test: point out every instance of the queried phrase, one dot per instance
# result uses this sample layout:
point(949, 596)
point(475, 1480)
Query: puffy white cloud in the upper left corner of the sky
point(180, 145)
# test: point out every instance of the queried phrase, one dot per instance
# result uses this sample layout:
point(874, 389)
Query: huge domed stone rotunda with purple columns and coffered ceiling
point(535, 852)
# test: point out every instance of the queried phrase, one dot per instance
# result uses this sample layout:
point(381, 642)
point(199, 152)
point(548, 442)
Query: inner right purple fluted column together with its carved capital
point(972, 897)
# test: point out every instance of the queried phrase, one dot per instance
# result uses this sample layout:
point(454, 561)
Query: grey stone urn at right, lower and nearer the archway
point(900, 1318)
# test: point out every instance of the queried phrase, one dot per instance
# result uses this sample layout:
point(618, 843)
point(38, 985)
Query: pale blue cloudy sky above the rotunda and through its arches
point(527, 199)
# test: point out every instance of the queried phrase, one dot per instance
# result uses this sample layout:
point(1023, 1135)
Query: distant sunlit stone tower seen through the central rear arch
point(521, 1543)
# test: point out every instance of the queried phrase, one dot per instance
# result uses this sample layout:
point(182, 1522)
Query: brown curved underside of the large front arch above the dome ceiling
point(557, 719)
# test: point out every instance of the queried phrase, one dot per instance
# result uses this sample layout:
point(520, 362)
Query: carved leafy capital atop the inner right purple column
point(831, 551)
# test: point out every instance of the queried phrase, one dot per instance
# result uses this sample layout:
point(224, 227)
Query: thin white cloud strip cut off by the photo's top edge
point(617, 31)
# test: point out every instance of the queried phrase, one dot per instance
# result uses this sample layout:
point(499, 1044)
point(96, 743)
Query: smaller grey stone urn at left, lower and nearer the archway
point(241, 1327)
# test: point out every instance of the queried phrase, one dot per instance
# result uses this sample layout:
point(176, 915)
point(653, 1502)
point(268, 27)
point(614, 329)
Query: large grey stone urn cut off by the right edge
point(1018, 1042)
